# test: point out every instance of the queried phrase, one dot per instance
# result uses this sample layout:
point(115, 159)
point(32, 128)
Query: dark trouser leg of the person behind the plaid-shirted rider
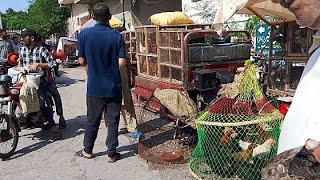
point(53, 90)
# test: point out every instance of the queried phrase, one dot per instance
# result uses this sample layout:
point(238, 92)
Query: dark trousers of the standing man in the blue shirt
point(95, 108)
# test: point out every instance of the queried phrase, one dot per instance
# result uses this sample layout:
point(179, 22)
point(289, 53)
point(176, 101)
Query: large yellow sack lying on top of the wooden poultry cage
point(170, 18)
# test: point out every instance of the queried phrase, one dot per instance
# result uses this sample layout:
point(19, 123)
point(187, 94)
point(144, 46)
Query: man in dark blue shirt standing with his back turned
point(102, 51)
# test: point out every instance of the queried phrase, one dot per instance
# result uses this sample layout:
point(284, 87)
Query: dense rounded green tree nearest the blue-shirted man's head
point(47, 17)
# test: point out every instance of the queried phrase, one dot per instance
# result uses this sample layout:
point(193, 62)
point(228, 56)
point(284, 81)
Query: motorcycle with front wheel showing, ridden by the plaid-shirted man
point(11, 119)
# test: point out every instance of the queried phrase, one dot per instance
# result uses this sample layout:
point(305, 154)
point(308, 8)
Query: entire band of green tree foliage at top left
point(44, 16)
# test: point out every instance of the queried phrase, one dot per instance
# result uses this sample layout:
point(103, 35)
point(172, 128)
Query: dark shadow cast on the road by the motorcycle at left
point(75, 127)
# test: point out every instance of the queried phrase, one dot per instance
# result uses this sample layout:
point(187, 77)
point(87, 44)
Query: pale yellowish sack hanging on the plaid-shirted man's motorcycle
point(29, 100)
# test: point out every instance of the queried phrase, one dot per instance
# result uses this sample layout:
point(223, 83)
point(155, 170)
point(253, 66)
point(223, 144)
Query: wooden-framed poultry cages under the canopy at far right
point(286, 66)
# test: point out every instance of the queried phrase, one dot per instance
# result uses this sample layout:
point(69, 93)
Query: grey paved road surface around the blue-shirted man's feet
point(39, 158)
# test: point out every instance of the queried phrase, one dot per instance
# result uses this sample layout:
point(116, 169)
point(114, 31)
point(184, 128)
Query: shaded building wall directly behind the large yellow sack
point(143, 9)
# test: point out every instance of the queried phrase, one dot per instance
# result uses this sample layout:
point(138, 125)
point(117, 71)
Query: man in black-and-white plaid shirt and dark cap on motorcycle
point(37, 57)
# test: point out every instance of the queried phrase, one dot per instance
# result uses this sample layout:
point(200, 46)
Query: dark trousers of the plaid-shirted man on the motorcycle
point(44, 108)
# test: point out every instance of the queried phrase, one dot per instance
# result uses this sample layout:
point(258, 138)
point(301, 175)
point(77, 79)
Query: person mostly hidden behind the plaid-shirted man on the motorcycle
point(53, 90)
